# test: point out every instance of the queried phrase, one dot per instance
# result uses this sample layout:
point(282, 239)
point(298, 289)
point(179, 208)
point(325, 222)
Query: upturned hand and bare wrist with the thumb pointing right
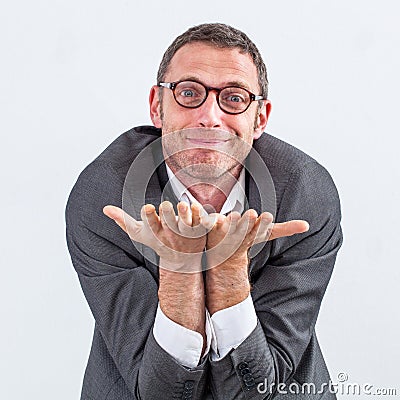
point(228, 243)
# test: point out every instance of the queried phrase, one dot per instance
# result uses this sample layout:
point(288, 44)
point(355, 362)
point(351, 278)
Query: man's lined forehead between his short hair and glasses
point(213, 66)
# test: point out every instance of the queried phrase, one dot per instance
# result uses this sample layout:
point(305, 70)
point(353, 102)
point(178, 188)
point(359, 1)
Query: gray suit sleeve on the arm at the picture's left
point(122, 291)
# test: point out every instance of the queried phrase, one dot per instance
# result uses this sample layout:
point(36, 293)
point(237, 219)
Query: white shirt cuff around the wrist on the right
point(231, 327)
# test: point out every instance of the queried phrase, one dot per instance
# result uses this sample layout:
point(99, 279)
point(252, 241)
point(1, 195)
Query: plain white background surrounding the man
point(76, 74)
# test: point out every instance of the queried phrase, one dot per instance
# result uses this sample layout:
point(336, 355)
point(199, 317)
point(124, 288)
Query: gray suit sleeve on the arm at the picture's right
point(287, 291)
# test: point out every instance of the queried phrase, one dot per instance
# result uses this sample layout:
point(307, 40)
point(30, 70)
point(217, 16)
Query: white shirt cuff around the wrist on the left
point(181, 343)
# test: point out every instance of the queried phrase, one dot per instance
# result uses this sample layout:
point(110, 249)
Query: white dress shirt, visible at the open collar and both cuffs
point(226, 329)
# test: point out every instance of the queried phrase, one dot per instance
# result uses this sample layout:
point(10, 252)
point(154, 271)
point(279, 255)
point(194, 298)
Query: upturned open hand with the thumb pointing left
point(178, 240)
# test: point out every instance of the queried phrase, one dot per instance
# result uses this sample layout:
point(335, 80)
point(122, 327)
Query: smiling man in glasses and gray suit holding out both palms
point(182, 311)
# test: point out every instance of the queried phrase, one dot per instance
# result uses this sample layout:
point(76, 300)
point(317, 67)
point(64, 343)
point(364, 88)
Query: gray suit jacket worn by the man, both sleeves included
point(289, 278)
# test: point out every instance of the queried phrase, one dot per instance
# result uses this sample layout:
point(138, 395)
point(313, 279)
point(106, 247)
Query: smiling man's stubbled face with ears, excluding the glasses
point(204, 156)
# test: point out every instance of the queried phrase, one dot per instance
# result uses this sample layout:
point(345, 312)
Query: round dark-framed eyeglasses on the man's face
point(192, 94)
